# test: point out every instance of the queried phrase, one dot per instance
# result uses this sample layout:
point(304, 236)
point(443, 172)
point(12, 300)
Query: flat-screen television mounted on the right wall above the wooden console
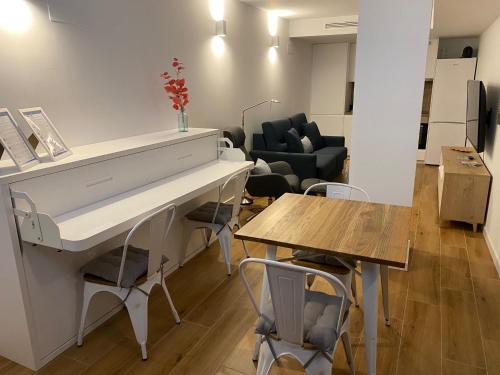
point(477, 115)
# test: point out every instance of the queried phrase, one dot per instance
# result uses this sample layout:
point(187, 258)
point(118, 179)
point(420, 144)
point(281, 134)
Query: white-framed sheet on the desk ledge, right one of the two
point(45, 131)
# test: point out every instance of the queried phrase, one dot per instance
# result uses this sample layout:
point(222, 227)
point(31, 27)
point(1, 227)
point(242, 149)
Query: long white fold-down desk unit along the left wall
point(84, 204)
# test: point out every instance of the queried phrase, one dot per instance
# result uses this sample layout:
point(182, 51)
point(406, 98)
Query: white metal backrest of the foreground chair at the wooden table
point(287, 290)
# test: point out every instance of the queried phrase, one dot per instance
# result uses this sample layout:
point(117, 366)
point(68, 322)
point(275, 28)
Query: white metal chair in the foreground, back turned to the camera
point(298, 322)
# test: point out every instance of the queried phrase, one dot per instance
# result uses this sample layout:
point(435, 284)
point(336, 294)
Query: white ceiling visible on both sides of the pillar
point(452, 18)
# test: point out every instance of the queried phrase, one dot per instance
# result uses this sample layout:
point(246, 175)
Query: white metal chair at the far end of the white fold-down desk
point(218, 217)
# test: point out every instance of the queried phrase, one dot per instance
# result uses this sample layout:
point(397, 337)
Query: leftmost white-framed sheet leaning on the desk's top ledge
point(15, 143)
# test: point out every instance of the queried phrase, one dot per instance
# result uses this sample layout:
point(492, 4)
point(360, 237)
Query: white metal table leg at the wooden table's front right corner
point(369, 275)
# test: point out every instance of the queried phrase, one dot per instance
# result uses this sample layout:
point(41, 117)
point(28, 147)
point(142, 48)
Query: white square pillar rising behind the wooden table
point(390, 69)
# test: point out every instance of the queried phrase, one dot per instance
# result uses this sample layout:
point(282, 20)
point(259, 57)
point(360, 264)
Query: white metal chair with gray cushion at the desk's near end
point(124, 272)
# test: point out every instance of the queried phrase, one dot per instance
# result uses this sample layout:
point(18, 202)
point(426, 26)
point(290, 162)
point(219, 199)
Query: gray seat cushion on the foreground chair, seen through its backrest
point(321, 314)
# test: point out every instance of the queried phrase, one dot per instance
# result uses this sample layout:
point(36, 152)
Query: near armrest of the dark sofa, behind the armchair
point(303, 165)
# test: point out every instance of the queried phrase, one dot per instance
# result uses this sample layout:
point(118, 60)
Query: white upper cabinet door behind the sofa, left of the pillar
point(329, 78)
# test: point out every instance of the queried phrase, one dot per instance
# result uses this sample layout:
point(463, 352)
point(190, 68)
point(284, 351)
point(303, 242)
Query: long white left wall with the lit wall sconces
point(97, 74)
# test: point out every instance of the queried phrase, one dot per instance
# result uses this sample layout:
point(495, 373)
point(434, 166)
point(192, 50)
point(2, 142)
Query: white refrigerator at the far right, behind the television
point(447, 115)
